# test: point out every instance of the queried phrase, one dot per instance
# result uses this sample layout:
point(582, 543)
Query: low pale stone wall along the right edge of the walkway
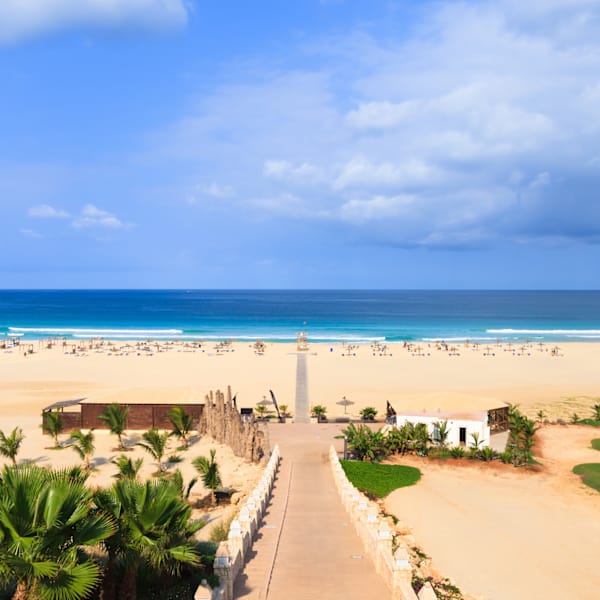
point(376, 535)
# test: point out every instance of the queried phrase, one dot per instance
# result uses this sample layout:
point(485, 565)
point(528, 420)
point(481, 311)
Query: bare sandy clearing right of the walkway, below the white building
point(503, 533)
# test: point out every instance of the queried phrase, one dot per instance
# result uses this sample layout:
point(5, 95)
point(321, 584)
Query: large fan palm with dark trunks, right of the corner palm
point(153, 528)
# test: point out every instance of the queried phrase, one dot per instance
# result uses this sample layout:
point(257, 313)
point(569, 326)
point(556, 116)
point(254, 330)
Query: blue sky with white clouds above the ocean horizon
point(307, 144)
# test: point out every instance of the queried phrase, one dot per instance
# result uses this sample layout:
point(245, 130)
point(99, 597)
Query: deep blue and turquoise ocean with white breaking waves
point(328, 316)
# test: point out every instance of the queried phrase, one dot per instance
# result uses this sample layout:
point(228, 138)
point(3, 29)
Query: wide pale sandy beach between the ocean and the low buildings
point(415, 378)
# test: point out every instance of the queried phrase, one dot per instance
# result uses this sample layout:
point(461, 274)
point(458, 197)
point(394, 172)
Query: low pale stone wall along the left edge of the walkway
point(231, 554)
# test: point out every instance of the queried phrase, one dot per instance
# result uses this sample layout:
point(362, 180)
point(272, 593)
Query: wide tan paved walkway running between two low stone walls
point(306, 547)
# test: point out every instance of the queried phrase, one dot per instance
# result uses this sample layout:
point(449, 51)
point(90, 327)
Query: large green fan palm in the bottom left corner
point(46, 521)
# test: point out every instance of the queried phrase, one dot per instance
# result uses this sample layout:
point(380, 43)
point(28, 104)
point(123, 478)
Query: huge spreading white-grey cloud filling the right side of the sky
point(459, 133)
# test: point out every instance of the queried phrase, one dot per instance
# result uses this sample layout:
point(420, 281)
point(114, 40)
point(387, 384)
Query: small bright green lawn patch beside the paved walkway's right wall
point(379, 480)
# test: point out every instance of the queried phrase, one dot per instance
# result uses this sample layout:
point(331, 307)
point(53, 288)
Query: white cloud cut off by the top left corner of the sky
point(25, 18)
